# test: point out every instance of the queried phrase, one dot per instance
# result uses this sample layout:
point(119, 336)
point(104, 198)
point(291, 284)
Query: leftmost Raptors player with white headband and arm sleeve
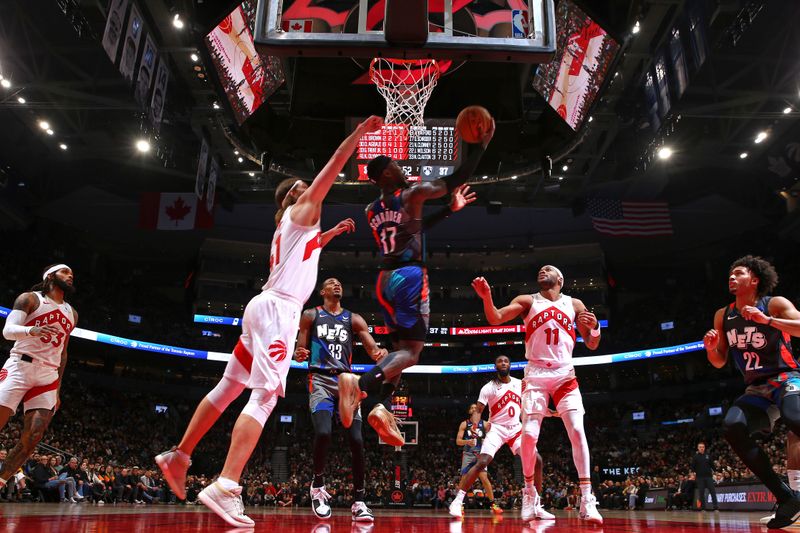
point(39, 325)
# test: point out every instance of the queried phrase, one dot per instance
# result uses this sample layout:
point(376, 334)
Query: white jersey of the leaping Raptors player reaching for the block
point(294, 259)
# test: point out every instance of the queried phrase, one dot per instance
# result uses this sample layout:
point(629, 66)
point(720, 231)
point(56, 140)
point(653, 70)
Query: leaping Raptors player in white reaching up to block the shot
point(269, 324)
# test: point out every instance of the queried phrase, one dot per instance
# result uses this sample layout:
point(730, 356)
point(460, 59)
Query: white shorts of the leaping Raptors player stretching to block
point(266, 346)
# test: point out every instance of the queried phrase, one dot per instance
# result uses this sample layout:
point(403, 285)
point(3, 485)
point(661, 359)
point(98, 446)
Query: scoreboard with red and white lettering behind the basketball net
point(424, 153)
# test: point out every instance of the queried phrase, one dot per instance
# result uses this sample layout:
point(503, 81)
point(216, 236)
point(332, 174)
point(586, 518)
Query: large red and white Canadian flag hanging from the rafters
point(174, 211)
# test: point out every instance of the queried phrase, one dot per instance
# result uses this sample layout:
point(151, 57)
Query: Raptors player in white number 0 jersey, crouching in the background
point(503, 396)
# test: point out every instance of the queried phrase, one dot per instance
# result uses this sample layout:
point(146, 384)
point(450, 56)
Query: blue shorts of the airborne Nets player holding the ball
point(405, 300)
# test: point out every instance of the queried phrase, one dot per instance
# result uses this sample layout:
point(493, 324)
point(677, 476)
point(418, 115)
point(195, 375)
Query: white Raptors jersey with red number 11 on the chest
point(550, 332)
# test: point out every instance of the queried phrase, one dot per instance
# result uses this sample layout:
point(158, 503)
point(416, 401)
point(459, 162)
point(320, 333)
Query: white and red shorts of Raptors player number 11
point(542, 384)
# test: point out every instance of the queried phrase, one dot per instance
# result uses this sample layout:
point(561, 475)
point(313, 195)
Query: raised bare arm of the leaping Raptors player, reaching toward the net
point(307, 209)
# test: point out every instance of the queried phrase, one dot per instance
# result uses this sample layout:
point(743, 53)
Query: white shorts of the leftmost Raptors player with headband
point(33, 384)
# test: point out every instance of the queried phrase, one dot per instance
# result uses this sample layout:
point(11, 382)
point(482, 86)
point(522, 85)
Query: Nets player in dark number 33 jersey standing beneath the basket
point(329, 330)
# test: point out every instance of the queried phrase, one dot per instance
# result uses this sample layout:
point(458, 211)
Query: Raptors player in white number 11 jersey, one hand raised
point(550, 318)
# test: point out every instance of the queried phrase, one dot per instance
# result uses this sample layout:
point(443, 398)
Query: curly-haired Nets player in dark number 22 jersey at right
point(756, 331)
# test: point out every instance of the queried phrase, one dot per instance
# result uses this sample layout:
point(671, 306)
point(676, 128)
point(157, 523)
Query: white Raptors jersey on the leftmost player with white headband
point(47, 348)
